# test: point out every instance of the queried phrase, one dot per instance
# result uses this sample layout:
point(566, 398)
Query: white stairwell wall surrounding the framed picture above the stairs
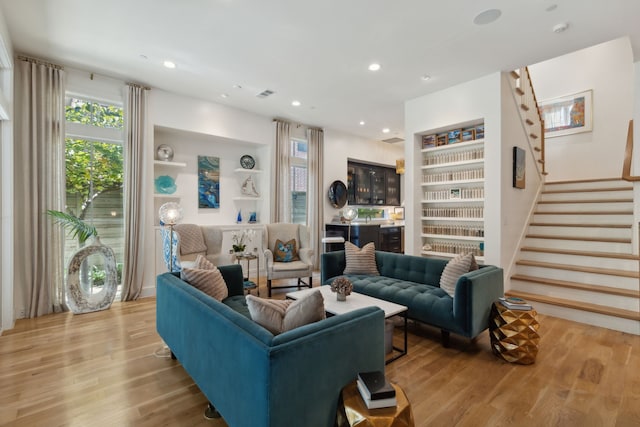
point(607, 69)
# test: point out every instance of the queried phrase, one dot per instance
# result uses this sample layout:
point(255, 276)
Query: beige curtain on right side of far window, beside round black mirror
point(315, 196)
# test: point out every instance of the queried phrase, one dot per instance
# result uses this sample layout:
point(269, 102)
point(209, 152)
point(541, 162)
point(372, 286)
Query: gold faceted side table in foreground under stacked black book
point(352, 410)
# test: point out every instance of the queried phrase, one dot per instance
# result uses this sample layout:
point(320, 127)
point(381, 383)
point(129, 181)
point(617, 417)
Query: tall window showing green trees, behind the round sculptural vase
point(94, 175)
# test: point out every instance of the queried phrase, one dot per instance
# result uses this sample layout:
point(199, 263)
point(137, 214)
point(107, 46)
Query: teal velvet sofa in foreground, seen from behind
point(256, 379)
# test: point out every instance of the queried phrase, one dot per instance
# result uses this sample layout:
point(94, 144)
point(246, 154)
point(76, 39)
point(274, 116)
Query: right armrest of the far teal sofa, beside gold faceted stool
point(475, 292)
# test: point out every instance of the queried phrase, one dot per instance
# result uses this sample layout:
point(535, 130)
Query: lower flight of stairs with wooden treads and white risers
point(577, 261)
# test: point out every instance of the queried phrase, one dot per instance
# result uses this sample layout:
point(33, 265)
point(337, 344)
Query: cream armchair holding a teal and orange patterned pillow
point(293, 269)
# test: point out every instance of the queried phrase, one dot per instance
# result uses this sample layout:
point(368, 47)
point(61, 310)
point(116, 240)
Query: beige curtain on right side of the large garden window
point(135, 114)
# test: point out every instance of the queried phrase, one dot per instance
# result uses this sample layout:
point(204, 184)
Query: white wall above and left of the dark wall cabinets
point(339, 147)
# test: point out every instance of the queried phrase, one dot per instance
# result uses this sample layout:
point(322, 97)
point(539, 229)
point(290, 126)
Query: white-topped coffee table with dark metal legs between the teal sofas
point(356, 301)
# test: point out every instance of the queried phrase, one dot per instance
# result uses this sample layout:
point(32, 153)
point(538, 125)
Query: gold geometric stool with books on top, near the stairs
point(514, 334)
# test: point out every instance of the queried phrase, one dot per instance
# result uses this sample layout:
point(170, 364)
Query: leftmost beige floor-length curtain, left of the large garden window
point(39, 179)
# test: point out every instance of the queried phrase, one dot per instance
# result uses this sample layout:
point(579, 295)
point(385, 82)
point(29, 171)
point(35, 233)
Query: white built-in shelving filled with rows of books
point(452, 202)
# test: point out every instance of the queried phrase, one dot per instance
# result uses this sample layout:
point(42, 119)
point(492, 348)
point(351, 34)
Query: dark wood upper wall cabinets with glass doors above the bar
point(372, 185)
